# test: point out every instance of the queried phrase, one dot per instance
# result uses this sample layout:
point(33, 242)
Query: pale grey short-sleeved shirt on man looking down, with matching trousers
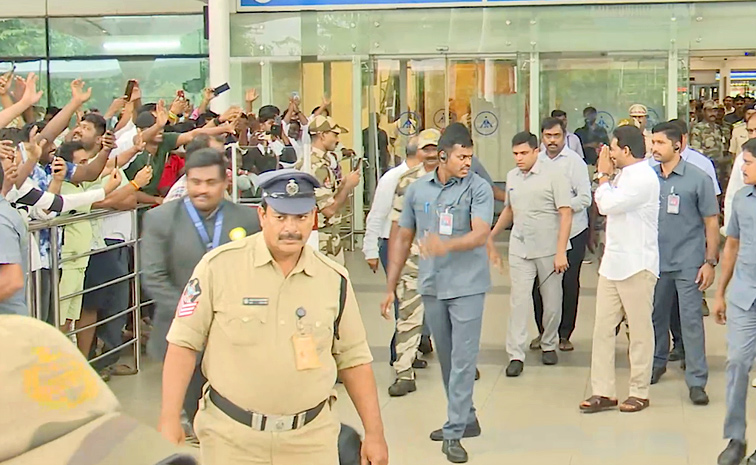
point(535, 198)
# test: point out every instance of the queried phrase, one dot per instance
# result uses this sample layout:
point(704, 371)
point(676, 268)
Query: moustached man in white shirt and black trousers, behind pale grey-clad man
point(572, 166)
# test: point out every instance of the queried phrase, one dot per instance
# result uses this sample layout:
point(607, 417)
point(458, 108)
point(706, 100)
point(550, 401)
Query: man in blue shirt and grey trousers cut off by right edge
point(739, 271)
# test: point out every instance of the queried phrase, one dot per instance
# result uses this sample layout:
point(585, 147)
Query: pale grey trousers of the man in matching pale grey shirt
point(523, 273)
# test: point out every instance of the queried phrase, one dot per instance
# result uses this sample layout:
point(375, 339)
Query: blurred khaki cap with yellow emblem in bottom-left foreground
point(56, 409)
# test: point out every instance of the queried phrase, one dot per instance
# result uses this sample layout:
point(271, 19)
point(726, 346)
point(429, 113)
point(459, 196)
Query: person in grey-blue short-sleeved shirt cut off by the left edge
point(14, 256)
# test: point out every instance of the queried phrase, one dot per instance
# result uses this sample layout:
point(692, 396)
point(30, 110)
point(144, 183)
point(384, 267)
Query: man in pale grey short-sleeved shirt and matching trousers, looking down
point(538, 209)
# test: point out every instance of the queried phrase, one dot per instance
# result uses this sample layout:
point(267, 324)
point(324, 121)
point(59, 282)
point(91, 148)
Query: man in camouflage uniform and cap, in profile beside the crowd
point(333, 191)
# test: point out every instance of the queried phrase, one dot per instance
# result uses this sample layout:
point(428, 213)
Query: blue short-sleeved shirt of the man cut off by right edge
point(742, 226)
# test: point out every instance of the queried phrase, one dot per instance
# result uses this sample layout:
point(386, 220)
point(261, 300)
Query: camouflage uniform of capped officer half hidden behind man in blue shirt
point(409, 325)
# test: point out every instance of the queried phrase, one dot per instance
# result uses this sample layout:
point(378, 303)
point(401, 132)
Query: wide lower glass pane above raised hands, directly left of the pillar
point(158, 78)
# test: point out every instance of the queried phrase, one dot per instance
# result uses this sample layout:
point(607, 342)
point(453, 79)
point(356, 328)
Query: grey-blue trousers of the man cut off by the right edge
point(741, 350)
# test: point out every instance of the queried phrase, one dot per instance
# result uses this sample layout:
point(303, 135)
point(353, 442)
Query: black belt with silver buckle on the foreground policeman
point(260, 422)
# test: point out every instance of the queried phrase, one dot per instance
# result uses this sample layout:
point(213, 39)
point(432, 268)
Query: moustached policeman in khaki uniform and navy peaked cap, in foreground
point(277, 321)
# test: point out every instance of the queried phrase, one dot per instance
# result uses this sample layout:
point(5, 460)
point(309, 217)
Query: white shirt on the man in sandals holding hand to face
point(631, 207)
